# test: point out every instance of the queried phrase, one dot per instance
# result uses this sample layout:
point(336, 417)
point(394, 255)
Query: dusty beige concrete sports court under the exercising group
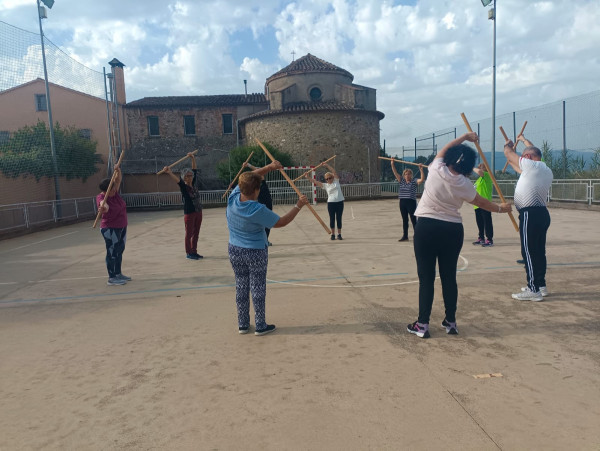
point(158, 363)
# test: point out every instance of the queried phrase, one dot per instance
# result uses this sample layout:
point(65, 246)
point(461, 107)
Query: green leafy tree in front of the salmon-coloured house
point(28, 152)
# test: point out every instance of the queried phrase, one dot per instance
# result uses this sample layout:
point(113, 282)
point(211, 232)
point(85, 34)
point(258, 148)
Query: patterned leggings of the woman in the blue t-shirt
point(250, 269)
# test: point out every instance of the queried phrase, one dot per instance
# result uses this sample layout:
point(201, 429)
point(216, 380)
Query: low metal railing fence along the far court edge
point(34, 214)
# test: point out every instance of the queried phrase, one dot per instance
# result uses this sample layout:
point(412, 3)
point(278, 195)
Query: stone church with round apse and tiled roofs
point(311, 109)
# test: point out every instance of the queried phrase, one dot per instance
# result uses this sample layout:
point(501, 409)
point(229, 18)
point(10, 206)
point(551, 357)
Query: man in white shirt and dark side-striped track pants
point(531, 195)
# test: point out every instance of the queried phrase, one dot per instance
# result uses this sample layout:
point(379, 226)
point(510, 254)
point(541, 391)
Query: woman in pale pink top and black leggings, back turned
point(439, 233)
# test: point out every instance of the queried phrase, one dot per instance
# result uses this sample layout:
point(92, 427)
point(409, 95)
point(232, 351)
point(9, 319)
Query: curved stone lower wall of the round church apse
point(311, 137)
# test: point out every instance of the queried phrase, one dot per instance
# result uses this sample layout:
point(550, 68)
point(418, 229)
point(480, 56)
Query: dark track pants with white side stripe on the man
point(533, 227)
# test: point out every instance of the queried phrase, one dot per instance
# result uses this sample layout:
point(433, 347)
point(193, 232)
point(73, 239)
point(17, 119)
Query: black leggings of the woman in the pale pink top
point(441, 241)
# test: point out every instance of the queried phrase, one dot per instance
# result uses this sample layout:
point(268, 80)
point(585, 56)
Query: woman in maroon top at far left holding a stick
point(113, 228)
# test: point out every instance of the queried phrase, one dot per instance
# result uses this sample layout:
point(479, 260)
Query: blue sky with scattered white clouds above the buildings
point(429, 60)
